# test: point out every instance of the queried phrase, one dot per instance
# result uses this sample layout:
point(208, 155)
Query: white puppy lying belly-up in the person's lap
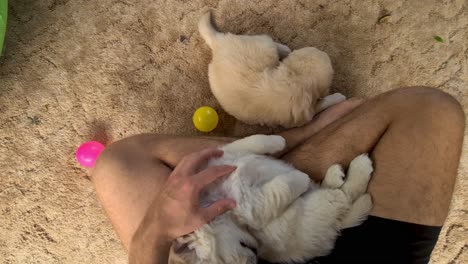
point(281, 216)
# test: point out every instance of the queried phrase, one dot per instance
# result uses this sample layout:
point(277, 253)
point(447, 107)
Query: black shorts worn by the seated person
point(380, 240)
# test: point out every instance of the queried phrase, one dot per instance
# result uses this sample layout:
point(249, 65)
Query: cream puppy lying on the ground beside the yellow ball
point(259, 81)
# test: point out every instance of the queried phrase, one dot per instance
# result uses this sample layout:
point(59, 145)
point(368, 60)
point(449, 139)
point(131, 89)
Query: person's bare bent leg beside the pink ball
point(129, 173)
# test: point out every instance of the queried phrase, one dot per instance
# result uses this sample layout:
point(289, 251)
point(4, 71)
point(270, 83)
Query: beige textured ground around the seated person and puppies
point(107, 69)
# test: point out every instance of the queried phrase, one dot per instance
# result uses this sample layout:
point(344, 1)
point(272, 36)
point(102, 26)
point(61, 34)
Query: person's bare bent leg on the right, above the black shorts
point(415, 138)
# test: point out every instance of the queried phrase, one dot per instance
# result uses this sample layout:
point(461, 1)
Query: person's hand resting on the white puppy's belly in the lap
point(176, 211)
